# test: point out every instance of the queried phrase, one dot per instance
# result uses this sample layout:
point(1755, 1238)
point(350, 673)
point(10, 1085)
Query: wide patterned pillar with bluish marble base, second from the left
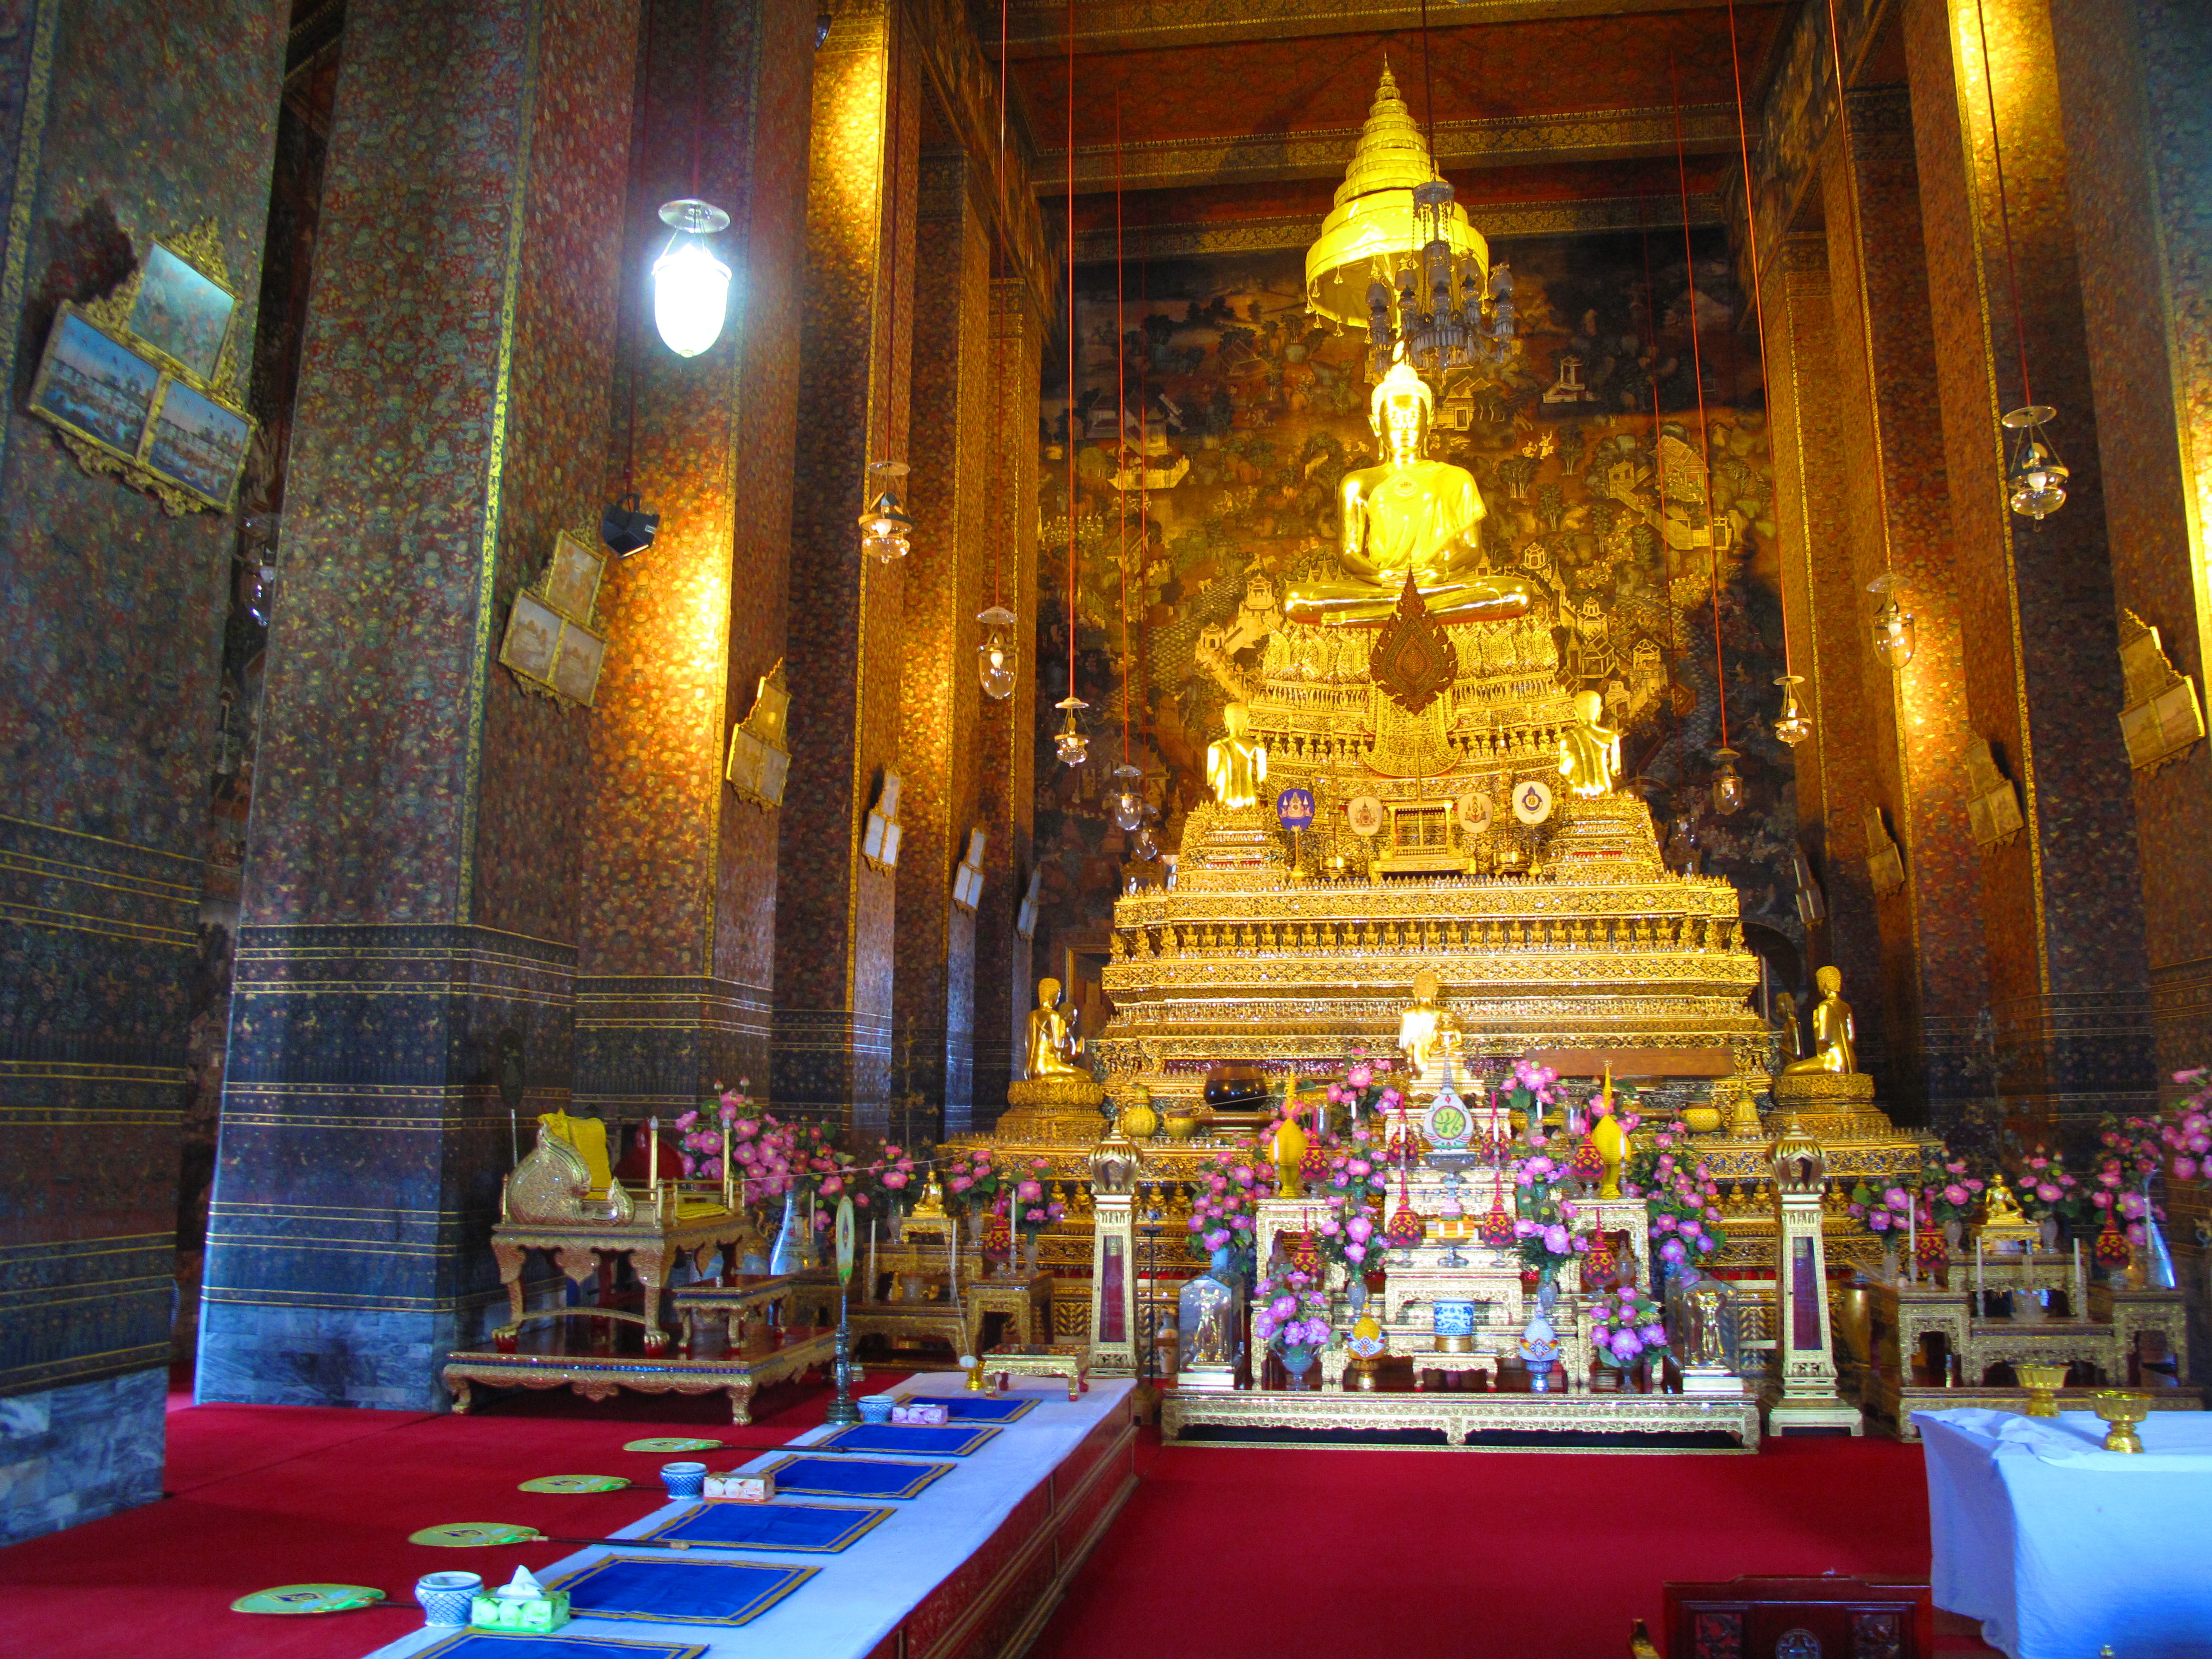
point(410, 915)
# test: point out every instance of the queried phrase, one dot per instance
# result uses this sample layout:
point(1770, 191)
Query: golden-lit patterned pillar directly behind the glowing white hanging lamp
point(676, 952)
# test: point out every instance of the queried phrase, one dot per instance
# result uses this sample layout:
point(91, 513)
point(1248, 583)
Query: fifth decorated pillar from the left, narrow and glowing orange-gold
point(948, 583)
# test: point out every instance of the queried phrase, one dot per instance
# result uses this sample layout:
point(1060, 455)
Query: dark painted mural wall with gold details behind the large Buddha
point(1211, 426)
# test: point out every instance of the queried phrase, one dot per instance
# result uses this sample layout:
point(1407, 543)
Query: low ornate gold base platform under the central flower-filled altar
point(1459, 1417)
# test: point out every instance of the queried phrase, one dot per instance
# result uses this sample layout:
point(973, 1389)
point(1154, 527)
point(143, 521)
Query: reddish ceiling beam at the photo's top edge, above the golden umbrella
point(1039, 30)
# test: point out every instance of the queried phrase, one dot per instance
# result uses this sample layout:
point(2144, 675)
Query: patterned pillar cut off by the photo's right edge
point(2136, 83)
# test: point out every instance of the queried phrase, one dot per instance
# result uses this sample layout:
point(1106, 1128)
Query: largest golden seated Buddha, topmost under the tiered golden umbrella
point(1408, 517)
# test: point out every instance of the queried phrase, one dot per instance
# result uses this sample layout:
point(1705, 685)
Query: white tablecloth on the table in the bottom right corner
point(2060, 1547)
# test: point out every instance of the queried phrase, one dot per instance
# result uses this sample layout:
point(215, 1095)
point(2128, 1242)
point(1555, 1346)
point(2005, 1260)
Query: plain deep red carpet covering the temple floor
point(1222, 1554)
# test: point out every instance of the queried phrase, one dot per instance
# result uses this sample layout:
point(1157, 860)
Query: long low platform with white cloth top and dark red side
point(968, 1569)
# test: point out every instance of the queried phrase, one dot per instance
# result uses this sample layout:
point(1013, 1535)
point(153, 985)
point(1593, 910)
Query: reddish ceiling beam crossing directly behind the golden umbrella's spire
point(1319, 154)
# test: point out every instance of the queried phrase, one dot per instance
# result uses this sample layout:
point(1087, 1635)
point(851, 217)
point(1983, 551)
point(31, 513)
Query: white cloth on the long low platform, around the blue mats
point(864, 1592)
